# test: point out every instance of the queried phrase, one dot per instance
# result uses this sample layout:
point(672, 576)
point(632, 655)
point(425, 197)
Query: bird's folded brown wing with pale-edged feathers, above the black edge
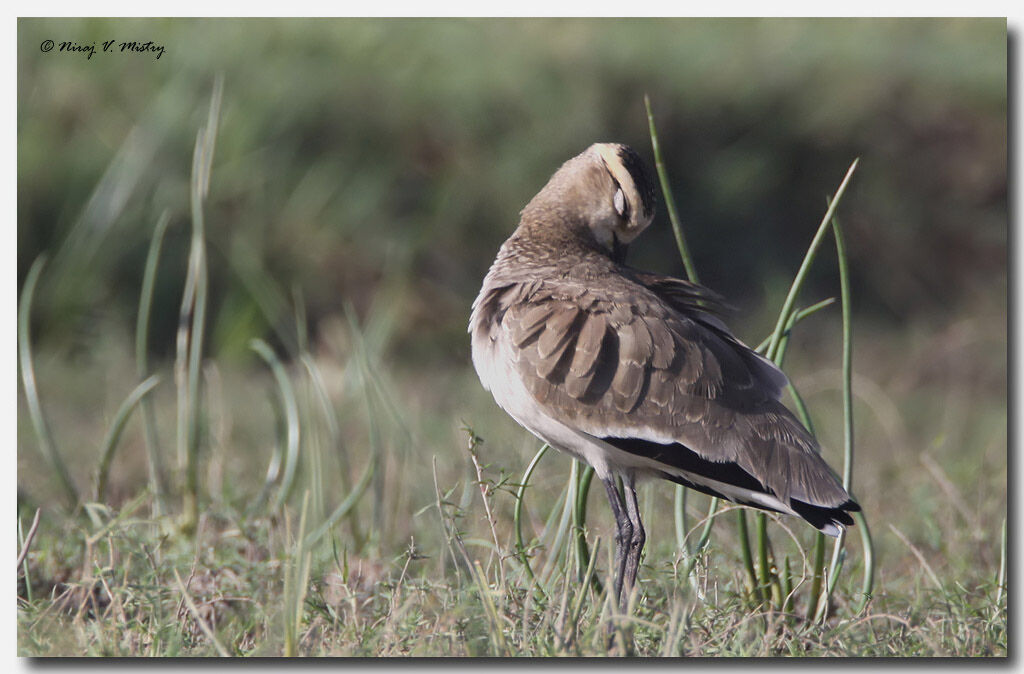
point(618, 360)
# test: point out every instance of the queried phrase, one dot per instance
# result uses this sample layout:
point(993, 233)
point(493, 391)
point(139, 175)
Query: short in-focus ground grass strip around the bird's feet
point(238, 570)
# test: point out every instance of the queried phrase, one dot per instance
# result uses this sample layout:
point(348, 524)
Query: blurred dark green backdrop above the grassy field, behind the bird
point(360, 154)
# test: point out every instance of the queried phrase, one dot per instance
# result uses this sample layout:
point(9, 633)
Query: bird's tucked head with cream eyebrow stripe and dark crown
point(606, 189)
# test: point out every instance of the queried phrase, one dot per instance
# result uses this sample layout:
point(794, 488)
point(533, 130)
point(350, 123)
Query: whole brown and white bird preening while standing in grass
point(634, 372)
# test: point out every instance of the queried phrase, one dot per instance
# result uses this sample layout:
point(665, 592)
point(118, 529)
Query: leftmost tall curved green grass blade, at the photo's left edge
point(47, 443)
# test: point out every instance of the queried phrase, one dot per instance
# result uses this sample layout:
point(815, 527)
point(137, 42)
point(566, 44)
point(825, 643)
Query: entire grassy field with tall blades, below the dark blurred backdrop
point(334, 503)
